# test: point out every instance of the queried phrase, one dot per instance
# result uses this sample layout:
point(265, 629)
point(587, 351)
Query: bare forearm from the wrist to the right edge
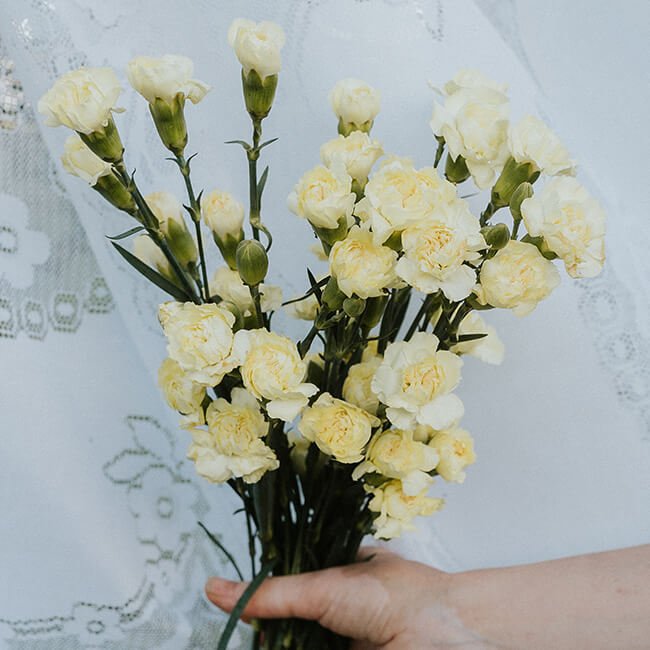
point(598, 601)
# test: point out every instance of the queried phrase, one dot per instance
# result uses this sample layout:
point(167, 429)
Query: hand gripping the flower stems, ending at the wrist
point(381, 601)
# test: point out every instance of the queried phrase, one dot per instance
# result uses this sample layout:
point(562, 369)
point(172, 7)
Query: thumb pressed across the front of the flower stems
point(303, 596)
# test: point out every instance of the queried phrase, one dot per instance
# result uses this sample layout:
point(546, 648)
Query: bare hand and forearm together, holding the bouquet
point(591, 602)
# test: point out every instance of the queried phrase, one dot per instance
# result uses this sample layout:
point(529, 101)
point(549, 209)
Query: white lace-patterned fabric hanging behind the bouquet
point(99, 543)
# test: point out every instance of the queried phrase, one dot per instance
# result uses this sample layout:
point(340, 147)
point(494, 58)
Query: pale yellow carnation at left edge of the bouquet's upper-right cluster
point(324, 197)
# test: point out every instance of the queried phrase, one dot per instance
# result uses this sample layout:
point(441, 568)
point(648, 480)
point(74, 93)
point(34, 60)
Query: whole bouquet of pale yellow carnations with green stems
point(342, 432)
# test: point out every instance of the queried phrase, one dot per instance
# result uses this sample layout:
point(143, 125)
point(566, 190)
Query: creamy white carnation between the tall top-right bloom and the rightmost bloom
point(532, 141)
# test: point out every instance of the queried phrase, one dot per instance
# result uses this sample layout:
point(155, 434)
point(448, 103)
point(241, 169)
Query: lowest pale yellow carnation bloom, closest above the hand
point(396, 510)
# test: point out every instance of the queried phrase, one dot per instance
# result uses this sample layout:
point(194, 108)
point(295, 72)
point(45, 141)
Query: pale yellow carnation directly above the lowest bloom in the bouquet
point(395, 454)
